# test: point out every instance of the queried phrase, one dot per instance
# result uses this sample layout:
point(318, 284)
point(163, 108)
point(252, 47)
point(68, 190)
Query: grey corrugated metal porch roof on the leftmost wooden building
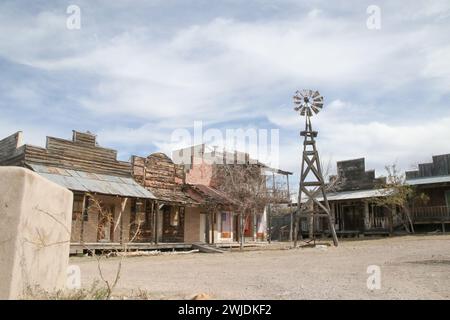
point(92, 182)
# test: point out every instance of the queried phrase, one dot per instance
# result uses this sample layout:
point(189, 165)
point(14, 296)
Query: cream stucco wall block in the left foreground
point(35, 224)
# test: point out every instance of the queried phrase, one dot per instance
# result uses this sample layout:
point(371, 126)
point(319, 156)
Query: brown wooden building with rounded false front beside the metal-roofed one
point(180, 215)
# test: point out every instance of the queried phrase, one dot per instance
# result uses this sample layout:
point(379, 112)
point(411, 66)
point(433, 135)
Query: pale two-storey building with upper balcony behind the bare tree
point(201, 166)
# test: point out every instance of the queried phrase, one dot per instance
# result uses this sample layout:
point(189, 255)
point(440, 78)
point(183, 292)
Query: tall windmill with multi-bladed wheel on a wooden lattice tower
point(309, 103)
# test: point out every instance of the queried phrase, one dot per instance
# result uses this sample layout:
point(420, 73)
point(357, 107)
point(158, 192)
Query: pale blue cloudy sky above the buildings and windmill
point(136, 71)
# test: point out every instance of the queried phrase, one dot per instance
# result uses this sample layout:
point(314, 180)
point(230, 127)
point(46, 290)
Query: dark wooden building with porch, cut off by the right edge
point(432, 179)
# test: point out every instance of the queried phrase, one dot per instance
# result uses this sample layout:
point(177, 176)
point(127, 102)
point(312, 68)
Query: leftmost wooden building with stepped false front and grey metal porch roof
point(106, 197)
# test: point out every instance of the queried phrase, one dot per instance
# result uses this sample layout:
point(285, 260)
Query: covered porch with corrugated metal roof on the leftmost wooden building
point(103, 205)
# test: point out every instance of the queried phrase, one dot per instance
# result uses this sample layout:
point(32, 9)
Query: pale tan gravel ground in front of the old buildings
point(412, 267)
